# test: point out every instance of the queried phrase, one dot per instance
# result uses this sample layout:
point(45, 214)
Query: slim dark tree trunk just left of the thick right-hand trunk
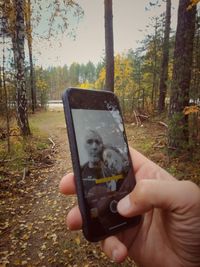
point(165, 59)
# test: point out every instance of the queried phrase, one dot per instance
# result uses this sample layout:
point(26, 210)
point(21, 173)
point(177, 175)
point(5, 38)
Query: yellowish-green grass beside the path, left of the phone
point(24, 150)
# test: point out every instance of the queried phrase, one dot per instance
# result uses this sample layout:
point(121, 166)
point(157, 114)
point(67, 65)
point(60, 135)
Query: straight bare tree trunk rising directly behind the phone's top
point(109, 47)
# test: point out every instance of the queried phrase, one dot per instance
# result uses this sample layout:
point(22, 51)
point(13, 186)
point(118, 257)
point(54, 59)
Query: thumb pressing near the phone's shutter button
point(166, 195)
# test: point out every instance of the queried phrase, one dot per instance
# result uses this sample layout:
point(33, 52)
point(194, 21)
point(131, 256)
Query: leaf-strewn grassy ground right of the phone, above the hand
point(151, 140)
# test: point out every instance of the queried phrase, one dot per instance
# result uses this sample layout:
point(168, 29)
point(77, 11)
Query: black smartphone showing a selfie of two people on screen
point(101, 160)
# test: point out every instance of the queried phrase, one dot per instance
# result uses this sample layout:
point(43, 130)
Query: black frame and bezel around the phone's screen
point(92, 100)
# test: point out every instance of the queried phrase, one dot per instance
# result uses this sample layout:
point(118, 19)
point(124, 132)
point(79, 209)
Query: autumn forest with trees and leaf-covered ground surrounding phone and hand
point(158, 86)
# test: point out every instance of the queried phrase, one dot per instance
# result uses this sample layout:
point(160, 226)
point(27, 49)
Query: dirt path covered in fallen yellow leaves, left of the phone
point(34, 231)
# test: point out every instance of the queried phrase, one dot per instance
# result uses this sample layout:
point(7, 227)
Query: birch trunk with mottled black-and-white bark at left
point(19, 60)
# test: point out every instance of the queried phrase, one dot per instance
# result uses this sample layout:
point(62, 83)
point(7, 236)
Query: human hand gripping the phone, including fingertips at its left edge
point(169, 234)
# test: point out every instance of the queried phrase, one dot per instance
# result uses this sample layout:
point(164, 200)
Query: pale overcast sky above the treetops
point(129, 23)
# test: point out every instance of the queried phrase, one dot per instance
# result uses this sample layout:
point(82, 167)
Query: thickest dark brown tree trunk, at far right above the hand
point(179, 130)
